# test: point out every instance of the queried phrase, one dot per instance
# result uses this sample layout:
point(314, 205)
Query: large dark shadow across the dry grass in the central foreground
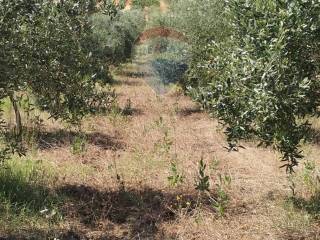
point(139, 210)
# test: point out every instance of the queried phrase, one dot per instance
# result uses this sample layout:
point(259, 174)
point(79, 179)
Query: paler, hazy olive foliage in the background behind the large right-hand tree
point(201, 24)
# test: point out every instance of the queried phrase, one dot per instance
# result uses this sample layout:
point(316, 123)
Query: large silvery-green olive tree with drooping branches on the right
point(261, 79)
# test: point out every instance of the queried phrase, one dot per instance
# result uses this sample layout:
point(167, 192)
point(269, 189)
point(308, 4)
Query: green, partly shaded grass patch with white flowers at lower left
point(27, 198)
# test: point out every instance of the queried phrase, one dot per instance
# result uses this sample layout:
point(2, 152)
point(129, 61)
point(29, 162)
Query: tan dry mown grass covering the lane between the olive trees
point(118, 187)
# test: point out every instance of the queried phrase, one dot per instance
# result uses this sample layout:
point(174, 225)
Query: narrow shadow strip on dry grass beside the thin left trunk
point(61, 138)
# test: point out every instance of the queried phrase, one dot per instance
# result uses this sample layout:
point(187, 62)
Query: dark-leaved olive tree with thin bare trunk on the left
point(44, 52)
